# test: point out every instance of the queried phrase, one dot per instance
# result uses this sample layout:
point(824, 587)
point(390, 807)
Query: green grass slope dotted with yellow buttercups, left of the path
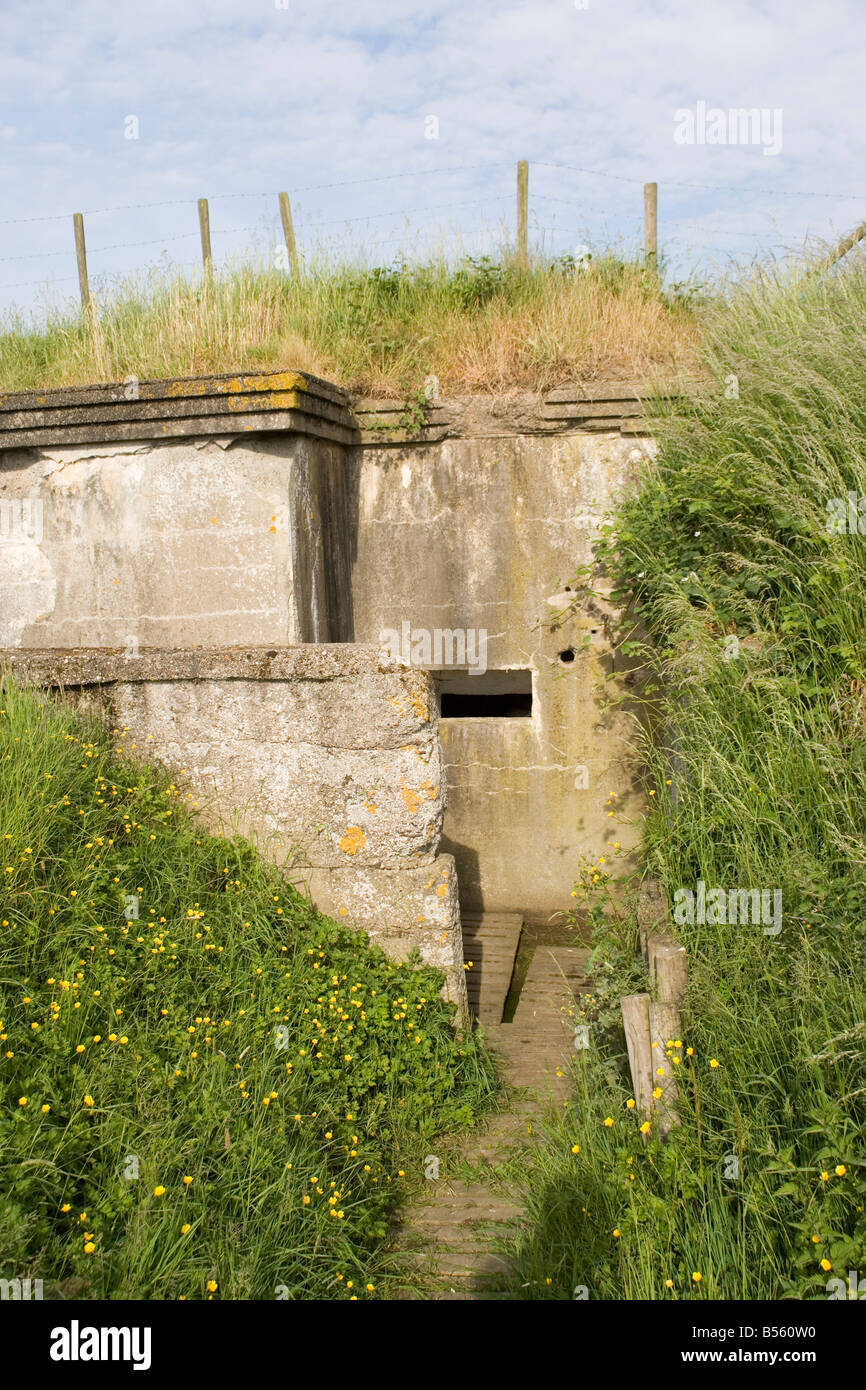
point(206, 1088)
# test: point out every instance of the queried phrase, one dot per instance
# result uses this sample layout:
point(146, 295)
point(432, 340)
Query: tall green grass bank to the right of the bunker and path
point(753, 614)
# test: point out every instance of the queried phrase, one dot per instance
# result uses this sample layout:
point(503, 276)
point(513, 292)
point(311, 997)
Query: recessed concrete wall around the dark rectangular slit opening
point(484, 534)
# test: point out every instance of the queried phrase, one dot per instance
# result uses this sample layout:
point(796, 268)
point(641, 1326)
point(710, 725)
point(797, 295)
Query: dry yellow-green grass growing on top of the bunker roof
point(479, 326)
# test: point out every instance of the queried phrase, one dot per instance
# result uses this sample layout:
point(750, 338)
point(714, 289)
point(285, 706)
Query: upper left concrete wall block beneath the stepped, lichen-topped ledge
point(177, 543)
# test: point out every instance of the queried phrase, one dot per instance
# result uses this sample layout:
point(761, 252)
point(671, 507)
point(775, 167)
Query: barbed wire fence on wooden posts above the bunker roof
point(678, 241)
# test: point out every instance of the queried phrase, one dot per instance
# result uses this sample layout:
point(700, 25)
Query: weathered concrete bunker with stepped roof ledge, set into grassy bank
point(269, 516)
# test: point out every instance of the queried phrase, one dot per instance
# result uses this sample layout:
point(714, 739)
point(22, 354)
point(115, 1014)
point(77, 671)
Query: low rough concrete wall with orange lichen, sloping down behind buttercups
point(326, 755)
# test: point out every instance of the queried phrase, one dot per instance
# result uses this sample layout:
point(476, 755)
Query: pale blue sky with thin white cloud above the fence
point(395, 126)
